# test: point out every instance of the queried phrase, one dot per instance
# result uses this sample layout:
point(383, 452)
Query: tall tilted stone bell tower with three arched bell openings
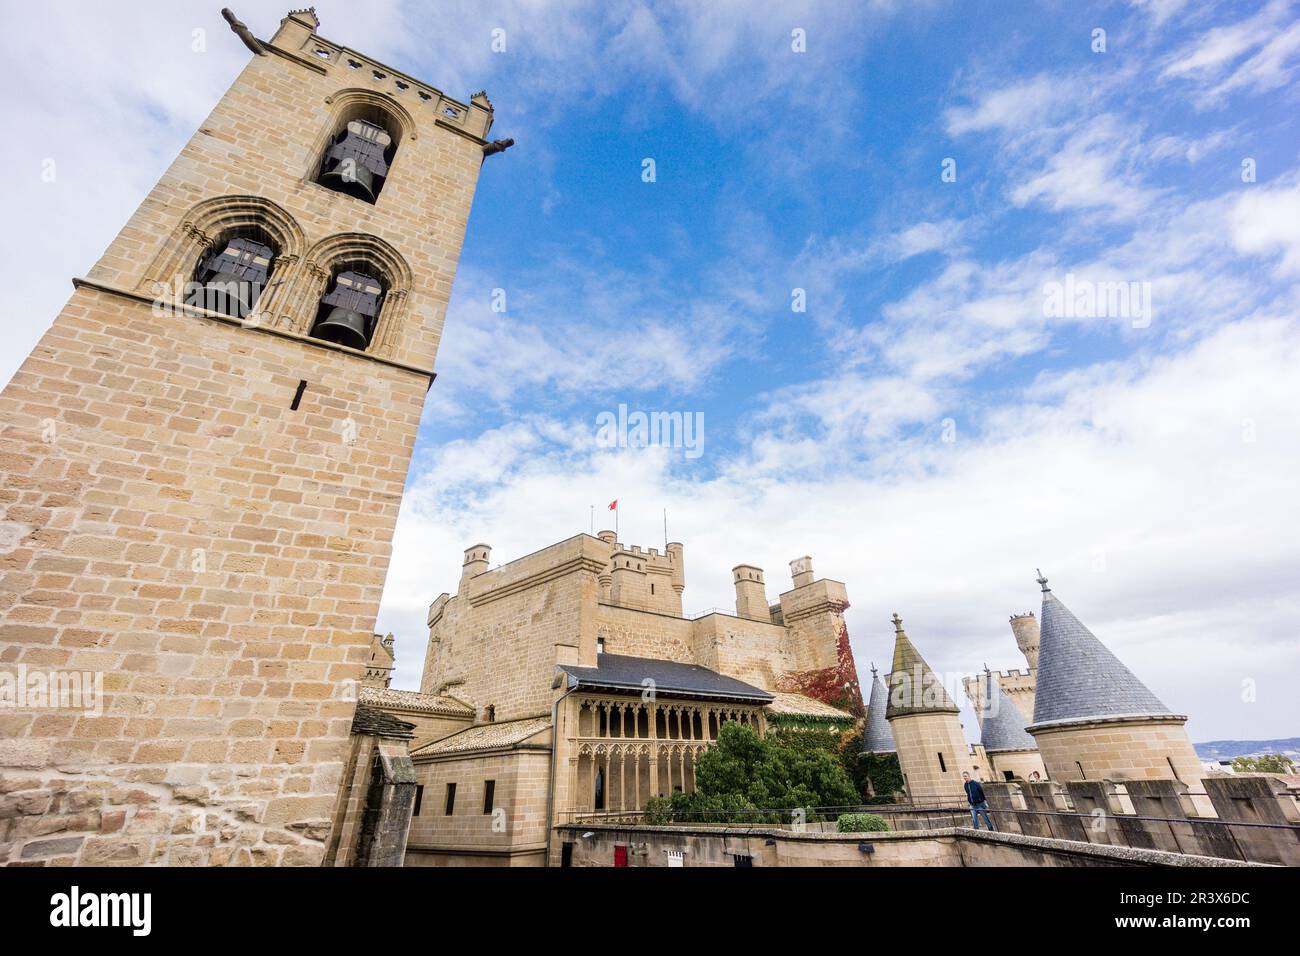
point(203, 461)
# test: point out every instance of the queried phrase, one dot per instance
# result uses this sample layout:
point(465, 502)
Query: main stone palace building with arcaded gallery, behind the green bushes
point(588, 690)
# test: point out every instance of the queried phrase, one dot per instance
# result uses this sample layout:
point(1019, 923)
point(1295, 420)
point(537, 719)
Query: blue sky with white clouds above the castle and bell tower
point(924, 430)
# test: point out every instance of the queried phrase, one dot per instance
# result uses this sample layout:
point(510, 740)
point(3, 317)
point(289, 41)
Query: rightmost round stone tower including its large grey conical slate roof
point(1094, 719)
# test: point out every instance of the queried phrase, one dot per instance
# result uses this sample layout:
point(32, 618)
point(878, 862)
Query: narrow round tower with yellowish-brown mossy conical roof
point(928, 734)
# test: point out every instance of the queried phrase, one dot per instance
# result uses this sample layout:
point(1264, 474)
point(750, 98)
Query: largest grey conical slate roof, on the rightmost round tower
point(1078, 676)
